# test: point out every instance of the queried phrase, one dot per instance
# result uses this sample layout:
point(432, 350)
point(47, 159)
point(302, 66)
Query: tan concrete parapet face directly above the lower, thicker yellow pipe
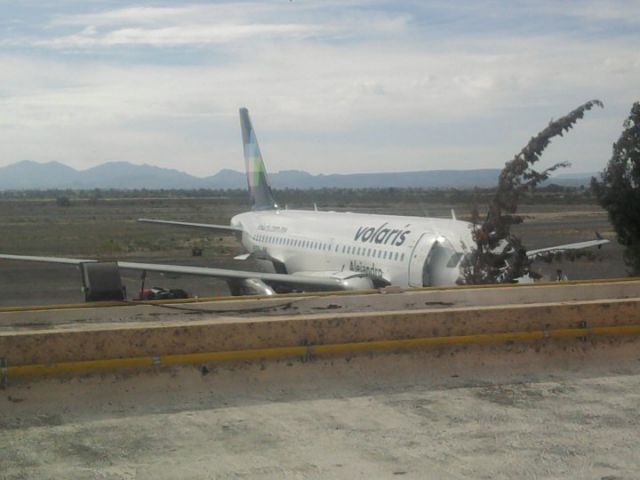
point(215, 334)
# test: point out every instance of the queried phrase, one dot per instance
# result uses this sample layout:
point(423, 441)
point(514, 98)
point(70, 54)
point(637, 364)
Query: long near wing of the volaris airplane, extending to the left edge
point(308, 281)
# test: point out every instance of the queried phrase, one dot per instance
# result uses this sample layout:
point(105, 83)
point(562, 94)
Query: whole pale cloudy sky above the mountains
point(332, 86)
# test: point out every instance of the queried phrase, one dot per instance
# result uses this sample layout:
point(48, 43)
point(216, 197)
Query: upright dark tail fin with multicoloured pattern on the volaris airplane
point(259, 188)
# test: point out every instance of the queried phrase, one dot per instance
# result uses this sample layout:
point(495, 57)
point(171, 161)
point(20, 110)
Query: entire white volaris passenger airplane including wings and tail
point(305, 250)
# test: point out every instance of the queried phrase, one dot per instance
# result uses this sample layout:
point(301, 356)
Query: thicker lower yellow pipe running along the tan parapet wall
point(314, 350)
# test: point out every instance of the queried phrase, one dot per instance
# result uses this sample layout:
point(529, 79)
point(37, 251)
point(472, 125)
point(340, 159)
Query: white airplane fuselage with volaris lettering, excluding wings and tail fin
point(396, 250)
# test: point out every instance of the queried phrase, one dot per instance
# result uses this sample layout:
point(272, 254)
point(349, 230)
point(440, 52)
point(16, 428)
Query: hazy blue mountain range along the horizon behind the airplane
point(30, 175)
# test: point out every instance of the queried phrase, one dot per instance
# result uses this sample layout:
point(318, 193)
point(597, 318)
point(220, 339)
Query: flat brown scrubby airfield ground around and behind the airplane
point(107, 229)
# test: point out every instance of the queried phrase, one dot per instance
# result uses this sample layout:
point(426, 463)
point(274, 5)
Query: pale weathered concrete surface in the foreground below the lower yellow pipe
point(555, 410)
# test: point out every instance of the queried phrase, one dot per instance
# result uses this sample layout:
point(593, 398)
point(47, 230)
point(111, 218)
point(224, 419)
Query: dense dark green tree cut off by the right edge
point(618, 190)
